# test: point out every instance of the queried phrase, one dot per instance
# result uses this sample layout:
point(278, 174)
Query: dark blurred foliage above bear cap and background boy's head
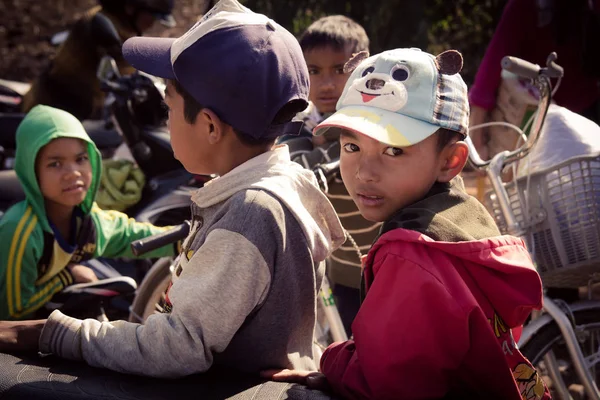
point(432, 25)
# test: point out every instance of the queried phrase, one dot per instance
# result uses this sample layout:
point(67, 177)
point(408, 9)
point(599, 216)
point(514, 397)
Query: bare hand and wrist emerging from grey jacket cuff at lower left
point(20, 336)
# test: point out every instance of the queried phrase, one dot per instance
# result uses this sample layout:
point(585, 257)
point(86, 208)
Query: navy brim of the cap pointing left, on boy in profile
point(151, 55)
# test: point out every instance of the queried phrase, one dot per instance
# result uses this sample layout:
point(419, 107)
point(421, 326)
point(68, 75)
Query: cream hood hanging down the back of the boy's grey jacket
point(293, 185)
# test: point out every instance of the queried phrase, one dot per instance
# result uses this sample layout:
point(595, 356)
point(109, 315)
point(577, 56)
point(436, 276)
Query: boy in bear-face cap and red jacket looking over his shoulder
point(443, 288)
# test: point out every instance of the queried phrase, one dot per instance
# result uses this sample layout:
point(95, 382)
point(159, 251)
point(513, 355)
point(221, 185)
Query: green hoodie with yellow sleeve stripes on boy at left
point(32, 257)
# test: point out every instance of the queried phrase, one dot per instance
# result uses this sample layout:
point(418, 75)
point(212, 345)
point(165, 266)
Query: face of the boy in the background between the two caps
point(327, 77)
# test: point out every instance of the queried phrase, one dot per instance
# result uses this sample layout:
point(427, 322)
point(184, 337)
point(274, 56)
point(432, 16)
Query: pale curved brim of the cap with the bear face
point(385, 126)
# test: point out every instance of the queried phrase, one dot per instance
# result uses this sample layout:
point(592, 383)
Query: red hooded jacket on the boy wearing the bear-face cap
point(436, 320)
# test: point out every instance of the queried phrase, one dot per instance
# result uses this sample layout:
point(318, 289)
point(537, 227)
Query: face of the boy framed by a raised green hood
point(64, 171)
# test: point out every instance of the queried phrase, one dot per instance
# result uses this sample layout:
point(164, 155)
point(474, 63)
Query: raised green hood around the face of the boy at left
point(40, 126)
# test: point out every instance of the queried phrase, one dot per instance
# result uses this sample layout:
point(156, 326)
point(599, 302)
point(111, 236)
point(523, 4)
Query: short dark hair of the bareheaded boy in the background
point(336, 31)
